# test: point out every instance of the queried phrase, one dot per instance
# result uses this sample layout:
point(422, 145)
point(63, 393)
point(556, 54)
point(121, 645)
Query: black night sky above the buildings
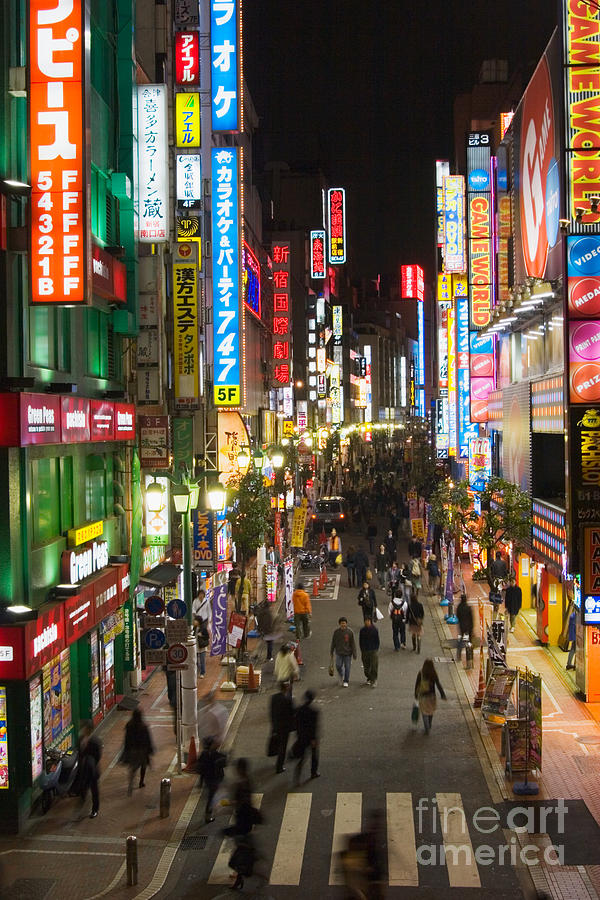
point(365, 89)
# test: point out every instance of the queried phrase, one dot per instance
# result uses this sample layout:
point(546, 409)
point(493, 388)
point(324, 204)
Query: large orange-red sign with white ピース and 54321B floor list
point(58, 153)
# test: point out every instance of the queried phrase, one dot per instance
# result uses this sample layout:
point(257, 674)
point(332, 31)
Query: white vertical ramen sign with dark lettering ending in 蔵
point(152, 168)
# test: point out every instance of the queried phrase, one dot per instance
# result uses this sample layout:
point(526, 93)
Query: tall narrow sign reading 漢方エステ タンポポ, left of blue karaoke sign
point(186, 361)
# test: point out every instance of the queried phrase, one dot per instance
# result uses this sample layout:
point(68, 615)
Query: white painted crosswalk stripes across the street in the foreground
point(417, 831)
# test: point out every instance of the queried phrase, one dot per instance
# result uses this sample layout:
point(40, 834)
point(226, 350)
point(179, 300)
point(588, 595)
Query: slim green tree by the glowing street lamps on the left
point(250, 520)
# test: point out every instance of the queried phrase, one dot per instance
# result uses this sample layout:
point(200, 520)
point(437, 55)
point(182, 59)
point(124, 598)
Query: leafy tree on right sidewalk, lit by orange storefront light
point(505, 516)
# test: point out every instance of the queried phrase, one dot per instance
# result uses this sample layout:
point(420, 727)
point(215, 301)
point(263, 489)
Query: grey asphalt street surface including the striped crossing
point(431, 789)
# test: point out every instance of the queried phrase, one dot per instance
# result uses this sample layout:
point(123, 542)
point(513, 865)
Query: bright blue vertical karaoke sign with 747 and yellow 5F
point(226, 274)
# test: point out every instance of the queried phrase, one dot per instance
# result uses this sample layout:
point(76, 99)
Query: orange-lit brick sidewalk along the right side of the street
point(571, 739)
